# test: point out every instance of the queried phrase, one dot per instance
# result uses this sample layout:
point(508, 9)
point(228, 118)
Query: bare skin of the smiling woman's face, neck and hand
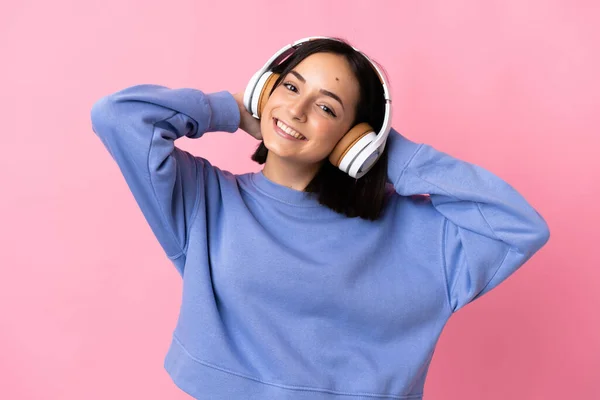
point(317, 100)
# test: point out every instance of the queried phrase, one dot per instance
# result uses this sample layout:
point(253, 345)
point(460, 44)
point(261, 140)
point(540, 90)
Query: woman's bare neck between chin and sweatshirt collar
point(287, 173)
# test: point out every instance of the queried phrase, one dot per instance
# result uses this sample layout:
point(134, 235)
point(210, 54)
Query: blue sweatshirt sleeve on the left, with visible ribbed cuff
point(138, 126)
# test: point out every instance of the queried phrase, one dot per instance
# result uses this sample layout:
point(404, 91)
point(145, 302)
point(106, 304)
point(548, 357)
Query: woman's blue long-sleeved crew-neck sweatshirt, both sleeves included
point(282, 297)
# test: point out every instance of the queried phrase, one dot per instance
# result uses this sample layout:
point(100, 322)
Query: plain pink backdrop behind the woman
point(89, 300)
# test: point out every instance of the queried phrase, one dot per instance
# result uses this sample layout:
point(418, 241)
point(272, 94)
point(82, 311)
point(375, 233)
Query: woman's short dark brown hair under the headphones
point(364, 197)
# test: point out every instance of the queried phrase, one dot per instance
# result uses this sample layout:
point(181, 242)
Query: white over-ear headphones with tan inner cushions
point(360, 148)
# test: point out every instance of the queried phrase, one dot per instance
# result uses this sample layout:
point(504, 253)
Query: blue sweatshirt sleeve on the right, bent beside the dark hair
point(489, 230)
